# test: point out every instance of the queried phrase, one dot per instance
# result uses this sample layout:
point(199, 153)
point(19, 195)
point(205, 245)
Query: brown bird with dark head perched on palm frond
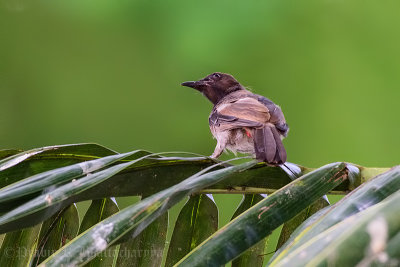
point(242, 121)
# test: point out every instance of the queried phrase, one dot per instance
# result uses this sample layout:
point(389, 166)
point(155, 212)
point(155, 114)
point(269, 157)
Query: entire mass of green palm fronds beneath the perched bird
point(38, 185)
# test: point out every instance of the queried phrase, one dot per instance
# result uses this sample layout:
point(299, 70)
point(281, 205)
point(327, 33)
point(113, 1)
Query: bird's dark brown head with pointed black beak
point(215, 86)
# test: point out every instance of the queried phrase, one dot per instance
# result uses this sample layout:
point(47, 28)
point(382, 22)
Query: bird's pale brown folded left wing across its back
point(244, 112)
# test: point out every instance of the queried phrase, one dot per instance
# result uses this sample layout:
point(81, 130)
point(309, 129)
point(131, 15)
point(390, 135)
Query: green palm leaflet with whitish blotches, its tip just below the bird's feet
point(135, 217)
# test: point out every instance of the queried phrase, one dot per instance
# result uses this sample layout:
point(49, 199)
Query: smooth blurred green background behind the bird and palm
point(110, 71)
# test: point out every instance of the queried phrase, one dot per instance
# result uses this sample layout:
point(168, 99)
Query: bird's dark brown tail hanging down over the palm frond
point(268, 145)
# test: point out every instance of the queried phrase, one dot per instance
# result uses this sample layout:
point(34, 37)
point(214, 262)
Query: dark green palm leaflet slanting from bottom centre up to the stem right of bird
point(259, 221)
